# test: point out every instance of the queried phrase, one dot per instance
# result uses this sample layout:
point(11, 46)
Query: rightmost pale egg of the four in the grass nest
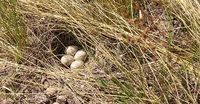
point(80, 55)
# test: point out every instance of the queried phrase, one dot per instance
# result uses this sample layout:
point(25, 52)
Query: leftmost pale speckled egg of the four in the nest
point(67, 60)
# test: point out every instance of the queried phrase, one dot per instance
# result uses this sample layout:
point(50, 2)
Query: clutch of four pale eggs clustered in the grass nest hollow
point(74, 57)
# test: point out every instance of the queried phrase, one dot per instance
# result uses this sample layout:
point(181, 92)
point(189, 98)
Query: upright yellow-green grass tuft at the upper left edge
point(13, 30)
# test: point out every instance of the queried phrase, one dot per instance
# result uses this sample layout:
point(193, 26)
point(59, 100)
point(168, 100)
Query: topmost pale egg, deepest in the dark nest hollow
point(71, 50)
